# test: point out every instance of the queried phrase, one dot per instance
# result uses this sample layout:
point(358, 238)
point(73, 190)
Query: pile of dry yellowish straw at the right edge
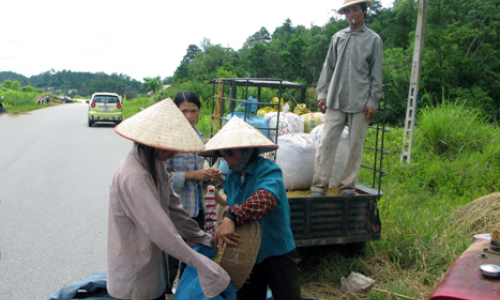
point(480, 216)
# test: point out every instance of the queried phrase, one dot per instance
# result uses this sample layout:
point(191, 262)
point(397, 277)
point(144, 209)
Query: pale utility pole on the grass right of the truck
point(411, 111)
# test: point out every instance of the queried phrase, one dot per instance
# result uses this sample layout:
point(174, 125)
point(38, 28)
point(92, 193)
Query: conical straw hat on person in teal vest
point(238, 134)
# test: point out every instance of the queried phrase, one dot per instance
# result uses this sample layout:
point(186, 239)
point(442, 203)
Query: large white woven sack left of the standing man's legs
point(295, 156)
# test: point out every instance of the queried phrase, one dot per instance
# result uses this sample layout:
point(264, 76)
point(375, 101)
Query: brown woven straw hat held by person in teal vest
point(238, 261)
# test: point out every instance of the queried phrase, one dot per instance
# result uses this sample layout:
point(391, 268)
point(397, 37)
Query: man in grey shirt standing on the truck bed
point(349, 88)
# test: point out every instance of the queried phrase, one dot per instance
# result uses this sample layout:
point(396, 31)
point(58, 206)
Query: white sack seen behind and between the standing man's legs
point(340, 155)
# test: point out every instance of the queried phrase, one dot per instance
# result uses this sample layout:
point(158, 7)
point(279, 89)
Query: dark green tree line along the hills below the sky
point(461, 59)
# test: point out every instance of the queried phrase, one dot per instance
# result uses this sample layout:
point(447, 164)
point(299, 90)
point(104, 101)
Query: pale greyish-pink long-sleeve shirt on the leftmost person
point(144, 220)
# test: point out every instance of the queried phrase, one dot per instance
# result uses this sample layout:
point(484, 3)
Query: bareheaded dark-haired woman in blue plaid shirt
point(188, 177)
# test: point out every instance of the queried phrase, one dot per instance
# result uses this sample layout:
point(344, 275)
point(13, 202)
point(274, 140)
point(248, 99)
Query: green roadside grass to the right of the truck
point(455, 160)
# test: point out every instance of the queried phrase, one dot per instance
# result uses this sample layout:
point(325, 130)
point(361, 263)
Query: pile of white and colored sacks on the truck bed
point(298, 136)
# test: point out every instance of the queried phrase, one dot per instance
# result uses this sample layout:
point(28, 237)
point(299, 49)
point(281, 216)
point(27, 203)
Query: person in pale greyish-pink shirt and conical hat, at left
point(145, 216)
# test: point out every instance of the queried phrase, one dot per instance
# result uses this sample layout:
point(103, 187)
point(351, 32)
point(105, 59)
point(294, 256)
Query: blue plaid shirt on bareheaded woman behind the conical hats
point(190, 191)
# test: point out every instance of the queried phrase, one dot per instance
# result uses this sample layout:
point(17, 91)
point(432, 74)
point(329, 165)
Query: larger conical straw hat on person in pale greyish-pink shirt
point(162, 126)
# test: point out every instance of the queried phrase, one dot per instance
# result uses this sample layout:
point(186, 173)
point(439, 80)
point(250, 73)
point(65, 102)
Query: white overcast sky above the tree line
point(145, 38)
